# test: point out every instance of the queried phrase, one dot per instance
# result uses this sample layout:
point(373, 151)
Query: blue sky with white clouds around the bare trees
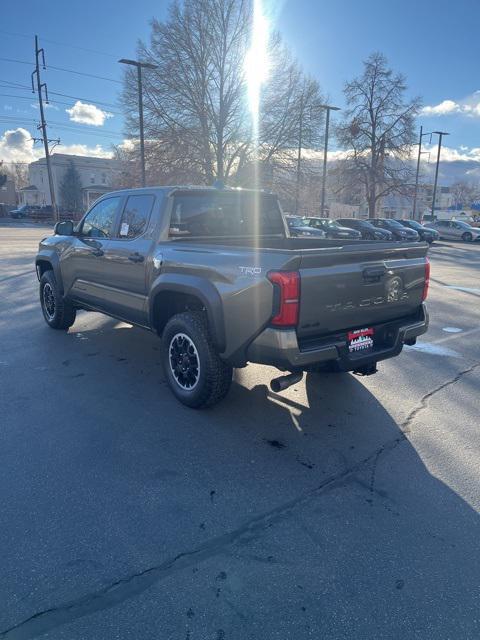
point(434, 43)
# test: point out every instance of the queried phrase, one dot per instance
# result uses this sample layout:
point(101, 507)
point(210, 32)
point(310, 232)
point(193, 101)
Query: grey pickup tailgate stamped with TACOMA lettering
point(351, 288)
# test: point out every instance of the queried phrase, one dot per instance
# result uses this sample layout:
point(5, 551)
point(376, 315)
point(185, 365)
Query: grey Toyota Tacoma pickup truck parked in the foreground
point(214, 274)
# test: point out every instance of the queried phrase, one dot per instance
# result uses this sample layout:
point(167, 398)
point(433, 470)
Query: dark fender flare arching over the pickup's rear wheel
point(200, 288)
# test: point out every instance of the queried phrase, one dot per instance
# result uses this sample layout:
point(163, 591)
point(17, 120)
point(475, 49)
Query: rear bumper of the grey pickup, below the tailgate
point(281, 348)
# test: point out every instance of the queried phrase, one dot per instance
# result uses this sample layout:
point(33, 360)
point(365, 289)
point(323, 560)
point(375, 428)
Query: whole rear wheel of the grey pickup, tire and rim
point(195, 373)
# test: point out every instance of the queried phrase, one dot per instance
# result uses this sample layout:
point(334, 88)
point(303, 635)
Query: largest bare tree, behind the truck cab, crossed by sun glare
point(197, 122)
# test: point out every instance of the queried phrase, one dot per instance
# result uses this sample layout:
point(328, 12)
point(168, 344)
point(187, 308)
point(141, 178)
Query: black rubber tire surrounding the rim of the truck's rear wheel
point(214, 377)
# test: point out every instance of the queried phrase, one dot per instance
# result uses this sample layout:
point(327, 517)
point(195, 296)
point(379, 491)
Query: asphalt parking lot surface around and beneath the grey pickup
point(342, 508)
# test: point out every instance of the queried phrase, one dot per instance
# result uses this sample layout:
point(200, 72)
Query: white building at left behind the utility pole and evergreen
point(97, 176)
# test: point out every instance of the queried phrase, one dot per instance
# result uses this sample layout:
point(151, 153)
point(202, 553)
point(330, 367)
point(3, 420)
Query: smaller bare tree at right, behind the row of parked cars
point(378, 131)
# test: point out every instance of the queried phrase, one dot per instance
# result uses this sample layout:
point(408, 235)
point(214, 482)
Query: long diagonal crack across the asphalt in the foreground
point(133, 584)
